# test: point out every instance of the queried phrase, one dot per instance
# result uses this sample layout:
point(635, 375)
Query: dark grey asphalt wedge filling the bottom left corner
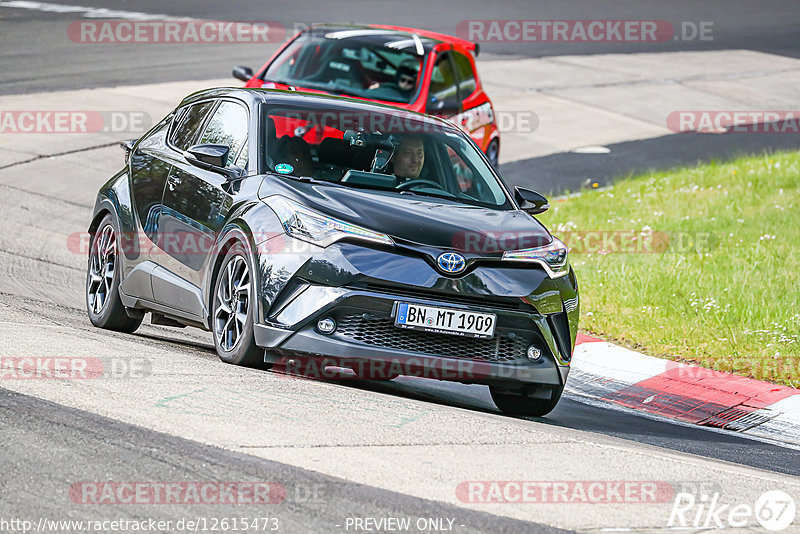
point(42, 432)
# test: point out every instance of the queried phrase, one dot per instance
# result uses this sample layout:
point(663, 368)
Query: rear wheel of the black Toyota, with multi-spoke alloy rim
point(103, 276)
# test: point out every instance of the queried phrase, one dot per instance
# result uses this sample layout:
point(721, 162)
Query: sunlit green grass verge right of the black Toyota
point(723, 292)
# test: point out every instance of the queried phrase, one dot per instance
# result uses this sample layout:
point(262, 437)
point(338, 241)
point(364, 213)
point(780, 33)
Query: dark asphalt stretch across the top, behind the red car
point(36, 53)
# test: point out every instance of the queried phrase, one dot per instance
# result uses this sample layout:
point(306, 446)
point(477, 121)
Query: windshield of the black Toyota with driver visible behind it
point(397, 151)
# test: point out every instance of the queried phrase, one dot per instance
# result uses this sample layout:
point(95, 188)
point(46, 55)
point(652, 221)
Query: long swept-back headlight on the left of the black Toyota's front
point(304, 223)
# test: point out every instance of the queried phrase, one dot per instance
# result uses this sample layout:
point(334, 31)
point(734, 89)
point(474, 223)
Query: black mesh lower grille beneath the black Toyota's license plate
point(383, 333)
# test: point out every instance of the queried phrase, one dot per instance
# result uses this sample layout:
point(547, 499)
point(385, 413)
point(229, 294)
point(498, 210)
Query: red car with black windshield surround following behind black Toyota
point(408, 68)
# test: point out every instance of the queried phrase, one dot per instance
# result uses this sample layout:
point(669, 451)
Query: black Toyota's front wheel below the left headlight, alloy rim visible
point(233, 310)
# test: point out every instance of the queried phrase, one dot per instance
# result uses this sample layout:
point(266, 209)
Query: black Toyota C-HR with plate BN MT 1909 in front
point(310, 232)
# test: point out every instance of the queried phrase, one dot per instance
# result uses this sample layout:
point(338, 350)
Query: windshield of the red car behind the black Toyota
point(366, 63)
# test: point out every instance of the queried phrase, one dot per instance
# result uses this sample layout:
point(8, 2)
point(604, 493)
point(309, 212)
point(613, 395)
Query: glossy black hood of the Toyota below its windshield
point(417, 220)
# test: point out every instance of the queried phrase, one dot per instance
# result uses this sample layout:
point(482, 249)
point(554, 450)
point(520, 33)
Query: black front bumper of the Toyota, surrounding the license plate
point(366, 335)
